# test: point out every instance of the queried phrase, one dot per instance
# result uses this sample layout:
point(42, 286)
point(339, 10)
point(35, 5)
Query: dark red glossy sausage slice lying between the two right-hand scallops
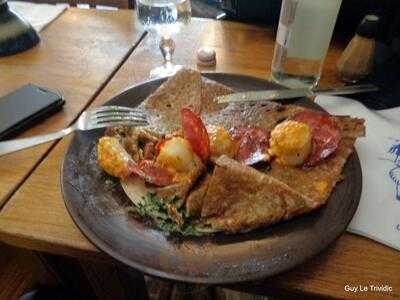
point(252, 144)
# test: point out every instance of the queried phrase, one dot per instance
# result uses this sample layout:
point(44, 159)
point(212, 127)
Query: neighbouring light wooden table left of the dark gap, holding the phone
point(76, 56)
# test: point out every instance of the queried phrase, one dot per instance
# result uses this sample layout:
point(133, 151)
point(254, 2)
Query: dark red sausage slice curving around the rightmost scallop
point(325, 135)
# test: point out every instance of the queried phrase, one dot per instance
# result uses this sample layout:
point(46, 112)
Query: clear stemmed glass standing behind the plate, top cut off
point(163, 19)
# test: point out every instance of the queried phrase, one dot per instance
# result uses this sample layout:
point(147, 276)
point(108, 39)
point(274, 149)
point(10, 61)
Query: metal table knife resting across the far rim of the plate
point(268, 95)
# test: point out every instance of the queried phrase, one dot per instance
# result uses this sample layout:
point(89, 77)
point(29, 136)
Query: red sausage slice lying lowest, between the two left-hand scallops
point(151, 173)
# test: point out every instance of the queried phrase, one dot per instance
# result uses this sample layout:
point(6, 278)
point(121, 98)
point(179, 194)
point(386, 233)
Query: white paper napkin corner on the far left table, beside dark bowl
point(39, 15)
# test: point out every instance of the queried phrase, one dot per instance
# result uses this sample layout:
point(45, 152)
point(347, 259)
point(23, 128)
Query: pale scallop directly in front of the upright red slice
point(177, 154)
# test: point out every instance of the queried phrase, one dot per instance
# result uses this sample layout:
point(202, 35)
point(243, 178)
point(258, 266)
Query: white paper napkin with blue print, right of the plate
point(378, 215)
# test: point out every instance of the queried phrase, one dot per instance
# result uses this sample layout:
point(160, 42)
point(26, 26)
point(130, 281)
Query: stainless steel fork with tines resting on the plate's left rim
point(104, 116)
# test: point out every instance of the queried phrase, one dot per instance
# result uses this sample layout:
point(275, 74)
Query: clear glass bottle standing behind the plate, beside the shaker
point(304, 33)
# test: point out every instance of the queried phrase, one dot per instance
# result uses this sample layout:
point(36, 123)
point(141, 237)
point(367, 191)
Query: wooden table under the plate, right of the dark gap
point(36, 217)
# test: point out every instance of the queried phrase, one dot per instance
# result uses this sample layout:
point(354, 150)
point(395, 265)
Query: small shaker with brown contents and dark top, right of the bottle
point(356, 61)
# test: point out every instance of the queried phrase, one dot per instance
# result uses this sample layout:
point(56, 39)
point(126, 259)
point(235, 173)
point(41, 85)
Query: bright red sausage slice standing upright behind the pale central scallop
point(196, 133)
